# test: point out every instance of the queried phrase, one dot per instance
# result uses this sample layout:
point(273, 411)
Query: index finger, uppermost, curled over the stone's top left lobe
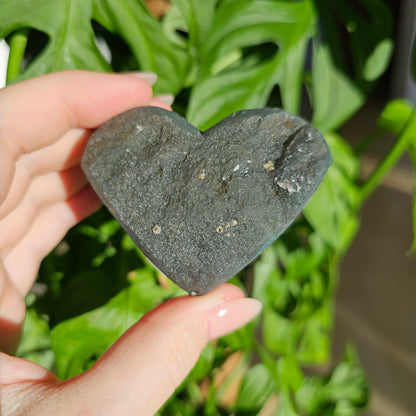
point(37, 112)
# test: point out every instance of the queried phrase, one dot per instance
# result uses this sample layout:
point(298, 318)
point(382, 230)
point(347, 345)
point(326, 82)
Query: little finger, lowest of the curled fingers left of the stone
point(23, 261)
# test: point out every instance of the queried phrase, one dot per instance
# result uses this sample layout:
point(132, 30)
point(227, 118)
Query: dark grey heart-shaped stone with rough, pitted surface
point(201, 206)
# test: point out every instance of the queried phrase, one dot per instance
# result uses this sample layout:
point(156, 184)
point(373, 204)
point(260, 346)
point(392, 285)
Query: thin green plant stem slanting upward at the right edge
point(408, 133)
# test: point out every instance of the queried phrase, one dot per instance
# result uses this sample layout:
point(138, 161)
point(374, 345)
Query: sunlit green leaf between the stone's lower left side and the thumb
point(79, 342)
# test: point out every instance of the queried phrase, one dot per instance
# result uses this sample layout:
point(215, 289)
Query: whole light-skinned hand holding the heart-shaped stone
point(44, 126)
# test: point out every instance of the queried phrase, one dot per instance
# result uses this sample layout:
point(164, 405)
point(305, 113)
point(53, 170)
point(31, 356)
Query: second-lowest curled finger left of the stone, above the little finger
point(44, 191)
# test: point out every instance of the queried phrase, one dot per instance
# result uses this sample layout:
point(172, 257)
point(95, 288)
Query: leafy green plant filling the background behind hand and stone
point(217, 57)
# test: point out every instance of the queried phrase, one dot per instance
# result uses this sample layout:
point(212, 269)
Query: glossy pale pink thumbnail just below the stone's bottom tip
point(230, 315)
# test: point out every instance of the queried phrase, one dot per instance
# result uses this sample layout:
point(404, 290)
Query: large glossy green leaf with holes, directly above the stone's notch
point(249, 78)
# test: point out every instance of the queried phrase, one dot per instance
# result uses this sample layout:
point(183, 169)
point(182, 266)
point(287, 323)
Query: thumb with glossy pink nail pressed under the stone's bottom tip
point(143, 368)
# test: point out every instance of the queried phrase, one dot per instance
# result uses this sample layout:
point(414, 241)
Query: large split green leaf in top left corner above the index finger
point(72, 42)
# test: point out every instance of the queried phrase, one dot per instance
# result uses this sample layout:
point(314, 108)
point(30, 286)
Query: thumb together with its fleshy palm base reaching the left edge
point(141, 370)
